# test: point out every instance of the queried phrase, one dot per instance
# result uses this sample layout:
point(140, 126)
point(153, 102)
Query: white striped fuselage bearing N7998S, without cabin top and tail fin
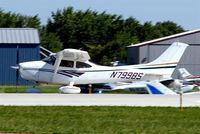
point(43, 72)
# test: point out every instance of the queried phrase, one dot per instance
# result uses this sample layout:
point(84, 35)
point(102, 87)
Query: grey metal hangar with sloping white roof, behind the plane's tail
point(148, 51)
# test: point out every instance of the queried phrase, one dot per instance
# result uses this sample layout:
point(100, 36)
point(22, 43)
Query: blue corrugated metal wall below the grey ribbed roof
point(11, 55)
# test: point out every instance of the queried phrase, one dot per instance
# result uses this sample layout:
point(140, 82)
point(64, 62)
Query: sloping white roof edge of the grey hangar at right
point(165, 38)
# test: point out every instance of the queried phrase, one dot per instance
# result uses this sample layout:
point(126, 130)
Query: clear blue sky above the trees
point(185, 13)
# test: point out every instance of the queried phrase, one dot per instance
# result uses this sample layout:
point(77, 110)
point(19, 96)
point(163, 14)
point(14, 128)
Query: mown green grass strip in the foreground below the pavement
point(106, 120)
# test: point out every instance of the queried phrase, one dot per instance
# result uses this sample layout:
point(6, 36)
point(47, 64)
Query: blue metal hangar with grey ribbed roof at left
point(17, 45)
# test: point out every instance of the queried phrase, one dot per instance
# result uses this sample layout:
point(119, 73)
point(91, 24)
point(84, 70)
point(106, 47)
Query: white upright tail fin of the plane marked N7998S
point(172, 55)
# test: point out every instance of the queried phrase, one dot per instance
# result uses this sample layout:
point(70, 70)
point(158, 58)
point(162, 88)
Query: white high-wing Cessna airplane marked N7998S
point(71, 67)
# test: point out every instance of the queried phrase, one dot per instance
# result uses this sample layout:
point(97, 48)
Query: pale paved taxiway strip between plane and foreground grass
point(97, 100)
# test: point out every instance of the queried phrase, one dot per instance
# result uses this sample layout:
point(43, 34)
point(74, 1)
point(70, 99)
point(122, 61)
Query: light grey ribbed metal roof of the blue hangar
point(19, 35)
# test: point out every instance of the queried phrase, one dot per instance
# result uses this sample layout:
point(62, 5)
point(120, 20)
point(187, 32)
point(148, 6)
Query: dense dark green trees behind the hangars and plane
point(105, 36)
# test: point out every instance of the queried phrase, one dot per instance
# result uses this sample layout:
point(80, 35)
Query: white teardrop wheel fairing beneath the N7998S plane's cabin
point(69, 90)
